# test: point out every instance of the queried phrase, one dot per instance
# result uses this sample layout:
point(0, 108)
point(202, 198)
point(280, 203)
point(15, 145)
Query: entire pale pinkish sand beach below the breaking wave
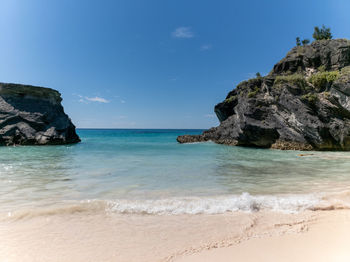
point(260, 236)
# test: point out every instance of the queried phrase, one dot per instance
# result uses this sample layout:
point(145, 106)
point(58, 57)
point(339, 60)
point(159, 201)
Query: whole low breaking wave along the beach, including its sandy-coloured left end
point(196, 205)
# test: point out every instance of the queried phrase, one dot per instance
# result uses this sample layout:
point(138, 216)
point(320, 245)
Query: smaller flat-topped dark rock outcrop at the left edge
point(31, 115)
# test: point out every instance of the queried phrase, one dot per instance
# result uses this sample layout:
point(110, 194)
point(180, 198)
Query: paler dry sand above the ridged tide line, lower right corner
point(327, 240)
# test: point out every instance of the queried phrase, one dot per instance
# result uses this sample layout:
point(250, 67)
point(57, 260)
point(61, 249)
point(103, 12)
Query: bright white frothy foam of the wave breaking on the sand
point(217, 205)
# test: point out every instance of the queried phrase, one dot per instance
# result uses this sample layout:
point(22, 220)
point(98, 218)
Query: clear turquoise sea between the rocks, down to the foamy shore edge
point(143, 170)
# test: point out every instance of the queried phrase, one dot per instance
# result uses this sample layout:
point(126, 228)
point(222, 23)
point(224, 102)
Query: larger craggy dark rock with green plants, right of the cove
point(302, 104)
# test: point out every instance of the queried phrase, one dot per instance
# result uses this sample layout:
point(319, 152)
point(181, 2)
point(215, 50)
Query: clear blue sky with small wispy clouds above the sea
point(155, 63)
